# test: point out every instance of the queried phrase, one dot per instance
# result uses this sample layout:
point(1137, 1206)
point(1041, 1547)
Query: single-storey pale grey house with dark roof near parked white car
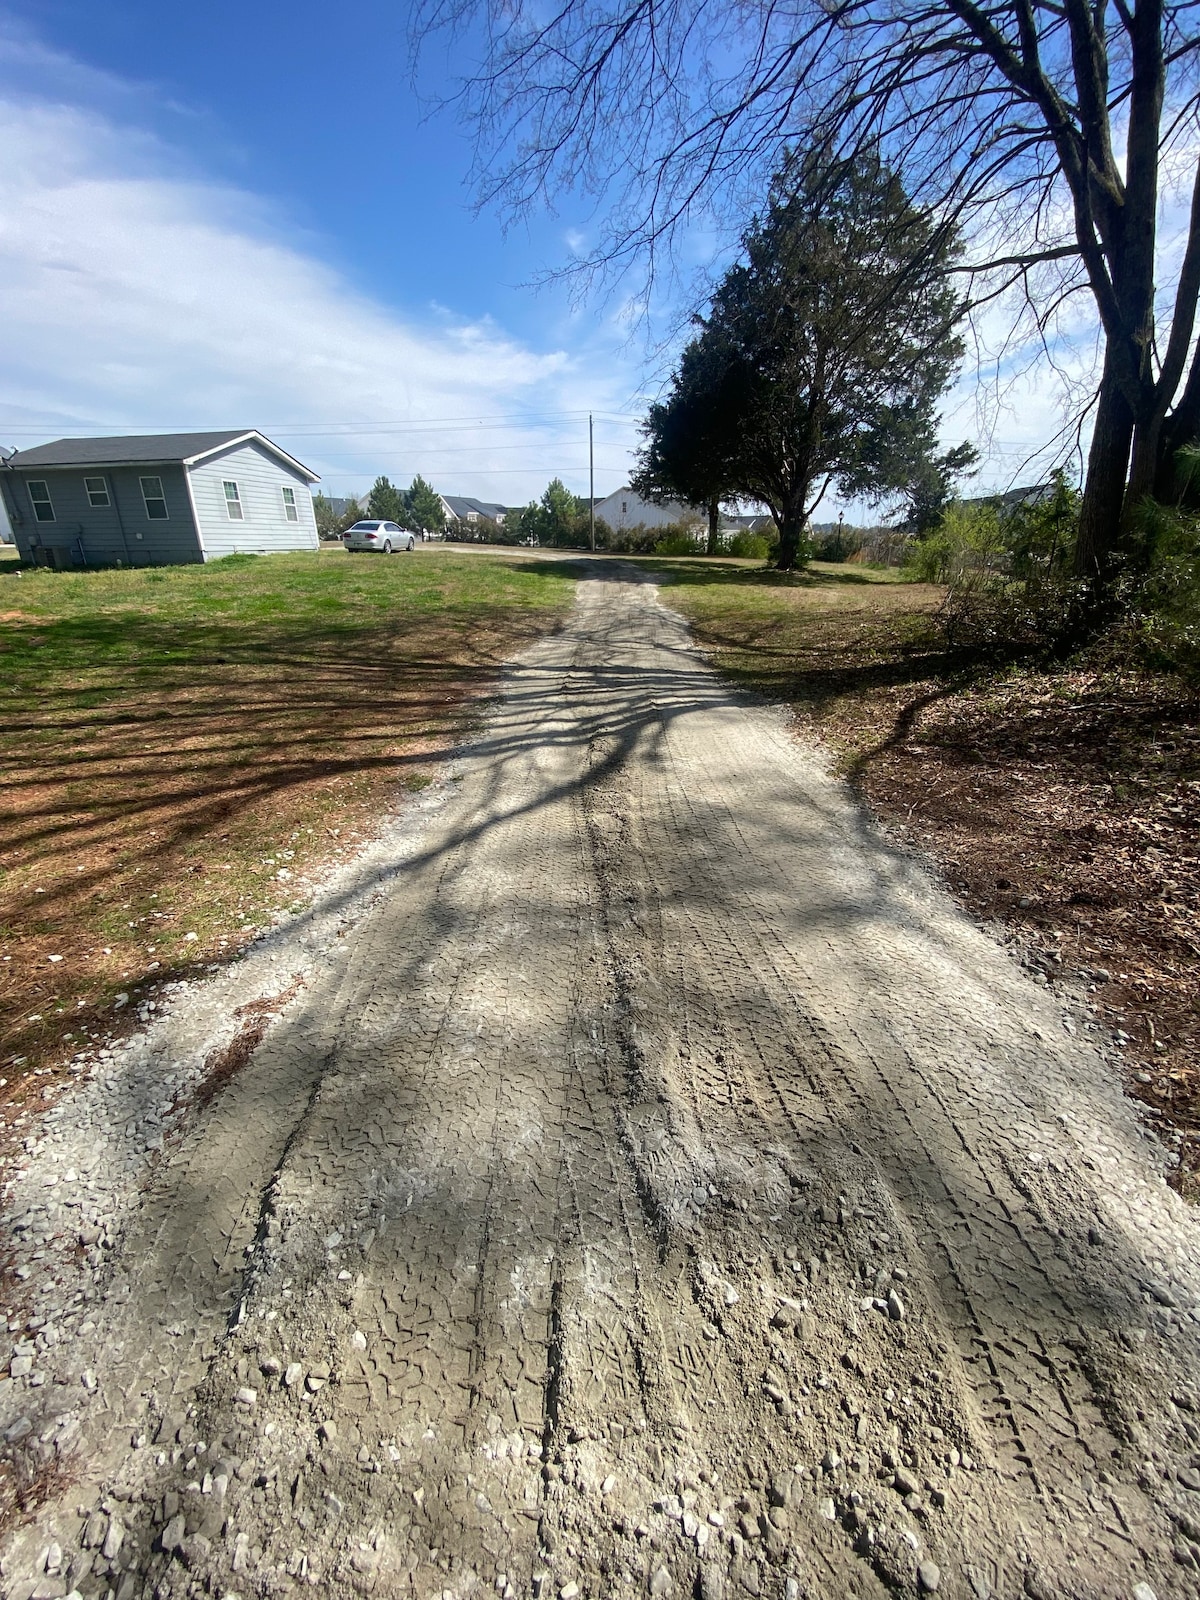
point(156, 500)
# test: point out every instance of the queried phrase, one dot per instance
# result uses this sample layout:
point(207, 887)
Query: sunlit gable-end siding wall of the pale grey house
point(262, 479)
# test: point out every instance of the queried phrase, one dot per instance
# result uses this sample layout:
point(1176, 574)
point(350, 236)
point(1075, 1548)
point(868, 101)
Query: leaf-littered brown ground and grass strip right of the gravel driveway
point(1063, 807)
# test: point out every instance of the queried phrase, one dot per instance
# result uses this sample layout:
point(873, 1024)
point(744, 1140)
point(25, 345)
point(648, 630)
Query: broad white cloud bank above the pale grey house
point(138, 297)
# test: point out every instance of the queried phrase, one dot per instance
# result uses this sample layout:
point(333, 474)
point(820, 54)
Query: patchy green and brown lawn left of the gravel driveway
point(180, 745)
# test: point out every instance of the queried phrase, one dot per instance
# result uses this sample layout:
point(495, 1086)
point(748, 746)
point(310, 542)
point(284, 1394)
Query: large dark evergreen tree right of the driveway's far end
point(823, 354)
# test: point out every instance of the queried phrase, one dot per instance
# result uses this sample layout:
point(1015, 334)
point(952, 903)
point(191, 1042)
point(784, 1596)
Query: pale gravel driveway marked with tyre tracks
point(660, 1190)
